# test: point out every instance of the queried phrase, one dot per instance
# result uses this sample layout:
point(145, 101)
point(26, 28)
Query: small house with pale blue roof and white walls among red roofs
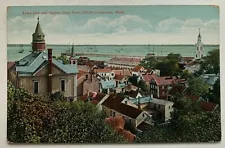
point(107, 86)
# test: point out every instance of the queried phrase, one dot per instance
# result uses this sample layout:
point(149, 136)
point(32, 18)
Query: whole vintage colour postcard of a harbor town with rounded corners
point(113, 74)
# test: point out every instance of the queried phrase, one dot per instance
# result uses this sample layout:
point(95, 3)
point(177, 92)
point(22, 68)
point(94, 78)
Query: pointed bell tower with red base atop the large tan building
point(38, 38)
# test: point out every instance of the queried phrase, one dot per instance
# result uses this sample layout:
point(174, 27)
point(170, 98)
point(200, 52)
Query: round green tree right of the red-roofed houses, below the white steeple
point(196, 86)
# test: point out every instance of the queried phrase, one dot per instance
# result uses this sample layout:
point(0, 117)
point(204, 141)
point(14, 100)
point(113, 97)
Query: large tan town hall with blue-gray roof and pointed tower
point(39, 73)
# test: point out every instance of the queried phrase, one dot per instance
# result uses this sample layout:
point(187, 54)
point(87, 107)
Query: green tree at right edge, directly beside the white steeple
point(211, 63)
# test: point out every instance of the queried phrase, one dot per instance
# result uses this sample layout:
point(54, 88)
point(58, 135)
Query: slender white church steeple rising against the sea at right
point(199, 47)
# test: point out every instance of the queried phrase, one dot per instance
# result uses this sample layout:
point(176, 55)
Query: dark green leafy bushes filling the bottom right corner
point(189, 124)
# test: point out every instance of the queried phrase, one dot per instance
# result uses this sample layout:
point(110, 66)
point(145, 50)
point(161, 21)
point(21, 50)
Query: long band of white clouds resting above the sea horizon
point(127, 29)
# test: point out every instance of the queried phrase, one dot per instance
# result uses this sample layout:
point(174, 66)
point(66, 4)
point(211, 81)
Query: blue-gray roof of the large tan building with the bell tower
point(36, 60)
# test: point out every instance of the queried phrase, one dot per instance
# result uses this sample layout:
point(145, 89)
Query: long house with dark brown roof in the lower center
point(113, 107)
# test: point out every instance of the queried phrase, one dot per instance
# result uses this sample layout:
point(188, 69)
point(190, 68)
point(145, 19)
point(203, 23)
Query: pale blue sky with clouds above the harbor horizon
point(136, 25)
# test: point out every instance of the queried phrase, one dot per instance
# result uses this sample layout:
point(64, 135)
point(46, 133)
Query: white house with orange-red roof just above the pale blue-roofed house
point(105, 74)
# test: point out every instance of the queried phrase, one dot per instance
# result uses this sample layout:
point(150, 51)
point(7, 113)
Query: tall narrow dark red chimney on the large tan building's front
point(49, 70)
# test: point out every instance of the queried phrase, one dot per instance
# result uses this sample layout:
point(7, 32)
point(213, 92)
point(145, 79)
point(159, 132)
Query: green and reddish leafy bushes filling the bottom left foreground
point(36, 119)
